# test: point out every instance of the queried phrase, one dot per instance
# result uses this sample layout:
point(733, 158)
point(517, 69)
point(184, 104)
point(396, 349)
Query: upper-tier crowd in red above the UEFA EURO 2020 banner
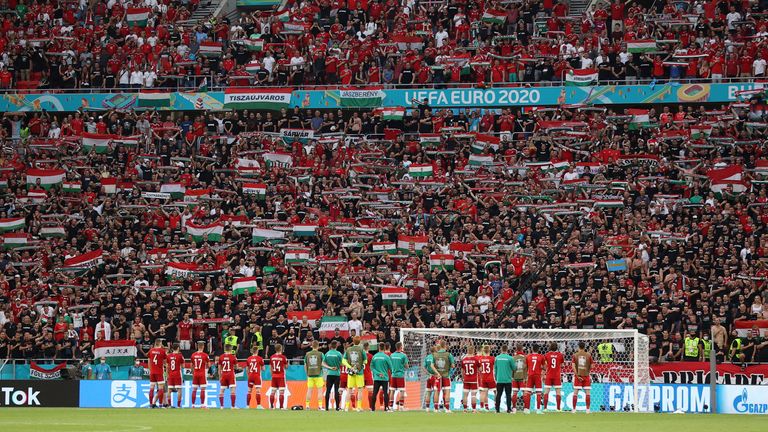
point(111, 44)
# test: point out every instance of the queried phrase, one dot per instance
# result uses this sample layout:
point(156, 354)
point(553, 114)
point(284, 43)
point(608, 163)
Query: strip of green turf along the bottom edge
point(134, 420)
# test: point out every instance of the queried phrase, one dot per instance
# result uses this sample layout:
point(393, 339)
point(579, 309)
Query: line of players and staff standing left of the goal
point(347, 375)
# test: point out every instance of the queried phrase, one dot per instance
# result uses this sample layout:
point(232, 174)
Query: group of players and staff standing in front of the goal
point(482, 373)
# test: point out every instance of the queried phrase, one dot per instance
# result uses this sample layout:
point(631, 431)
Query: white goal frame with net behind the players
point(620, 381)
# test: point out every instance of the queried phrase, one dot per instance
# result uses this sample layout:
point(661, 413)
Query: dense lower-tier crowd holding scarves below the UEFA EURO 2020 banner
point(597, 219)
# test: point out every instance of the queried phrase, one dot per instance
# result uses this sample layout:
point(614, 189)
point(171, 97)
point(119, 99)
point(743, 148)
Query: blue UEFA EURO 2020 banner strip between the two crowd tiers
point(469, 97)
